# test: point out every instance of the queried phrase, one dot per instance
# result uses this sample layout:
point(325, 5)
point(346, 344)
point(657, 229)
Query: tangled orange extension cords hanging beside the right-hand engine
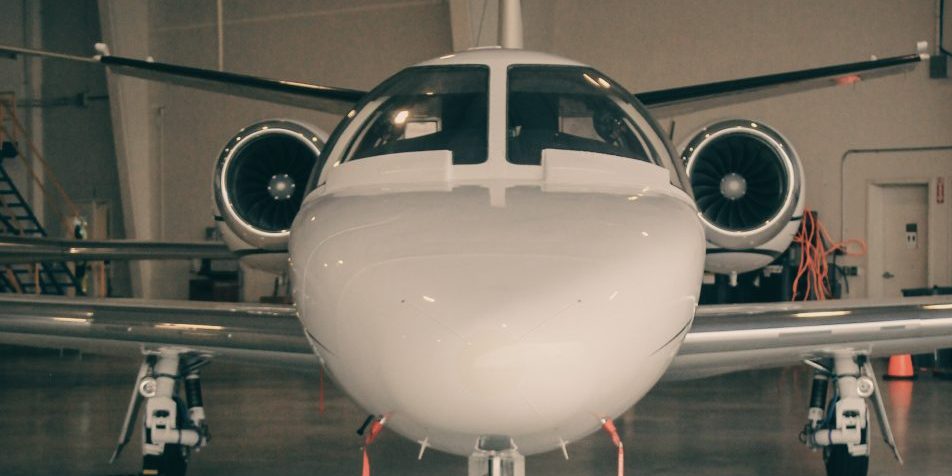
point(814, 251)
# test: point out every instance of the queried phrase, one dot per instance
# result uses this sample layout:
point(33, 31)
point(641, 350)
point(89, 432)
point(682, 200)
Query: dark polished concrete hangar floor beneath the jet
point(60, 414)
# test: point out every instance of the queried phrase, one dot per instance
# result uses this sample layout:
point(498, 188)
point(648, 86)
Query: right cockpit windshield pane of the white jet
point(573, 108)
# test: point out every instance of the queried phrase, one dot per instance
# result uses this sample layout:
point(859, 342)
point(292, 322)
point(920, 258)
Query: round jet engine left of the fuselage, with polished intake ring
point(260, 179)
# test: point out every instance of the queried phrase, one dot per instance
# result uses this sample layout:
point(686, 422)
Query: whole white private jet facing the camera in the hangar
point(479, 226)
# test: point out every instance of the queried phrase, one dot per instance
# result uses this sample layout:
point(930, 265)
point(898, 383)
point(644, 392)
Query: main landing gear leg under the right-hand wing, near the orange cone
point(840, 427)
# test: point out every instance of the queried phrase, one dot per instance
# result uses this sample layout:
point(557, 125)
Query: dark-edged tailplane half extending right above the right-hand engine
point(669, 102)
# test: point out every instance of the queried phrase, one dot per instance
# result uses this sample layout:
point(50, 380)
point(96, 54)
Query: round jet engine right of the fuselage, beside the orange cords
point(747, 183)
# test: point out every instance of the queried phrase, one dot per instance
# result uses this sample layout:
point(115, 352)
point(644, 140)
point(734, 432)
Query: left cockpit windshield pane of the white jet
point(428, 108)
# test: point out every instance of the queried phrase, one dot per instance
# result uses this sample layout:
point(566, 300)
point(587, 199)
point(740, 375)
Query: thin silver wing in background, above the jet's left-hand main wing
point(14, 249)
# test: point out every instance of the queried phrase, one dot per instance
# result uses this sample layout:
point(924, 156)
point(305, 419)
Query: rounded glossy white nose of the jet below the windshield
point(447, 307)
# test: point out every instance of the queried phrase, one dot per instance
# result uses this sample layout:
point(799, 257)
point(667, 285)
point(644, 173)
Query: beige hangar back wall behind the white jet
point(644, 45)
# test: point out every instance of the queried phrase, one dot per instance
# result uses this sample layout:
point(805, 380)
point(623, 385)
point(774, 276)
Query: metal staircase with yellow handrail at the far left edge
point(17, 219)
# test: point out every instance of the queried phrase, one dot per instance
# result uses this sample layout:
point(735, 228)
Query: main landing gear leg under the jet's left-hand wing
point(173, 426)
